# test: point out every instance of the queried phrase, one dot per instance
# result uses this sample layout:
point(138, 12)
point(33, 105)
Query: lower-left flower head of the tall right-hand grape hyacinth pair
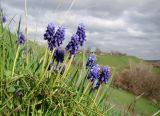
point(72, 46)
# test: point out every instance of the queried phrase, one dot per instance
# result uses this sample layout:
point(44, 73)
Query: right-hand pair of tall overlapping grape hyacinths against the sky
point(76, 40)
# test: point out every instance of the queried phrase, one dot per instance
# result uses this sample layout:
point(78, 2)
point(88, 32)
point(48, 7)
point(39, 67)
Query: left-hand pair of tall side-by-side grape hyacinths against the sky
point(54, 39)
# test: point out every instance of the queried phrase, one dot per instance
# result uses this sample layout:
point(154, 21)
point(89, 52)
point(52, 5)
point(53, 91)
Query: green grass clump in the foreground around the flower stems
point(29, 88)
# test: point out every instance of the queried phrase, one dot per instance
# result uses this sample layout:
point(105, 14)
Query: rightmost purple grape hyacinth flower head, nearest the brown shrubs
point(104, 77)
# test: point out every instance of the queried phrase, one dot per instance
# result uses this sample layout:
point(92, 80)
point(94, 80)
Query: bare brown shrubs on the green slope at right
point(138, 78)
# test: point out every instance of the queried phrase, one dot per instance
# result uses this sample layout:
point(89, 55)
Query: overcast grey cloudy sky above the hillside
point(128, 26)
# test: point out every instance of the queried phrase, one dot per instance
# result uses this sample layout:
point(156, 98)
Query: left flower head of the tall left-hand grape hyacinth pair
point(49, 32)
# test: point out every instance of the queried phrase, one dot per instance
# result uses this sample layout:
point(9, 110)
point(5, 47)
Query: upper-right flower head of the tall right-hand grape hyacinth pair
point(81, 33)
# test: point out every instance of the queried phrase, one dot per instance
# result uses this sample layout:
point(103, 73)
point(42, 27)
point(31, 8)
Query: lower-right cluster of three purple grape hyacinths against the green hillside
point(96, 76)
